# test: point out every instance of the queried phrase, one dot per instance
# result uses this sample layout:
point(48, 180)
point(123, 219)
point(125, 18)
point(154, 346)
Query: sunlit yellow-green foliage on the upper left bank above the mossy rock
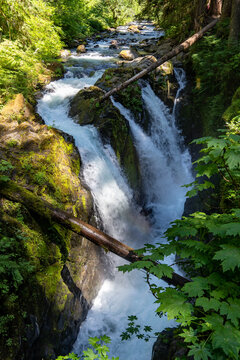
point(28, 39)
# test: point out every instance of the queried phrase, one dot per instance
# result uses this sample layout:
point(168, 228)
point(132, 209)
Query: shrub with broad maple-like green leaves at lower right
point(207, 245)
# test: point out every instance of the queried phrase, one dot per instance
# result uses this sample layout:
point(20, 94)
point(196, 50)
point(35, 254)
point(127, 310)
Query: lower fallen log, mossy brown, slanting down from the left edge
point(14, 192)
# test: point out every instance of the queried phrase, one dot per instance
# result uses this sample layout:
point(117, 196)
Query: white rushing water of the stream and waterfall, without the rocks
point(165, 165)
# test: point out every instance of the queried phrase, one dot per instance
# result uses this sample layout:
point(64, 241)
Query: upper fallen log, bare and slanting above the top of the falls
point(182, 47)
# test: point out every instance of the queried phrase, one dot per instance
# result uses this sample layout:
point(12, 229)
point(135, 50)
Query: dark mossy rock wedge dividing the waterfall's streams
point(113, 128)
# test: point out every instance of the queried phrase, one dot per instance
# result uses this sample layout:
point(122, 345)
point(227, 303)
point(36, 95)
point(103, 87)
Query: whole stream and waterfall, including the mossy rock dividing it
point(133, 161)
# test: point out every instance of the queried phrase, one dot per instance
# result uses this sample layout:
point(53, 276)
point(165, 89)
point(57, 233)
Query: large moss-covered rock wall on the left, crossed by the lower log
point(58, 293)
